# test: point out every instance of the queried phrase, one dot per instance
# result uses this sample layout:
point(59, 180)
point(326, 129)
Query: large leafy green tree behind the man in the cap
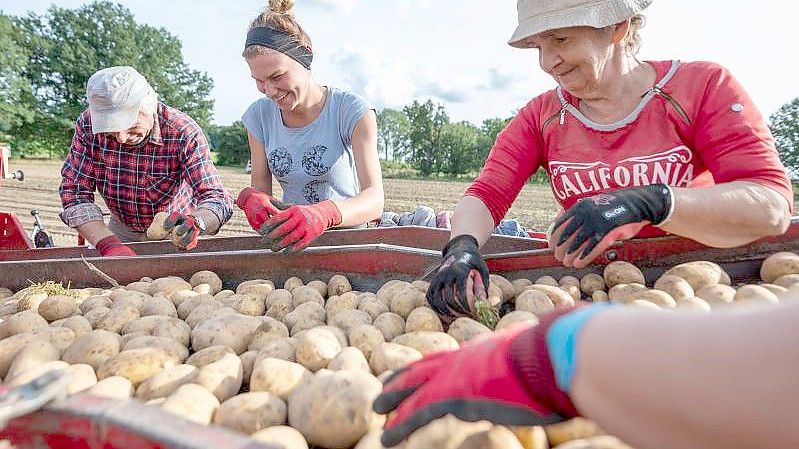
point(68, 45)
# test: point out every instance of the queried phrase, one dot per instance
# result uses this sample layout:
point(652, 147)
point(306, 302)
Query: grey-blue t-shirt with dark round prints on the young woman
point(315, 162)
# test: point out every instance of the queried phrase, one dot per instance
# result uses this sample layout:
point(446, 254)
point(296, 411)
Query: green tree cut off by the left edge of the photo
point(16, 99)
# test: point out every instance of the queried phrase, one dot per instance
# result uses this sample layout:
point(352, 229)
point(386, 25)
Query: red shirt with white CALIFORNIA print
point(696, 127)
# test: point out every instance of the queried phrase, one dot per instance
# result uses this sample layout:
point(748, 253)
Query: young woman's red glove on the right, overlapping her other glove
point(294, 228)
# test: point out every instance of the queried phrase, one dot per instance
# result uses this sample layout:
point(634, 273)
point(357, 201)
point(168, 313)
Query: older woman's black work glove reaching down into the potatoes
point(462, 275)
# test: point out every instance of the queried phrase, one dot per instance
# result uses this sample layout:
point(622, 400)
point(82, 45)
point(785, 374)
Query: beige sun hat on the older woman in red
point(537, 16)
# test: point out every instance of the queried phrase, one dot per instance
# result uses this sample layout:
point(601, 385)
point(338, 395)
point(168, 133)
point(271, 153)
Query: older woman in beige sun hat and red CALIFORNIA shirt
point(632, 148)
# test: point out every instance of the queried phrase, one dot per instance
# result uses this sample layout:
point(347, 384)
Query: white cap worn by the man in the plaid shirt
point(115, 95)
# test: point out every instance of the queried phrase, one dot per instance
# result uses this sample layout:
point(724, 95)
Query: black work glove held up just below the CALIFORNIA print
point(591, 225)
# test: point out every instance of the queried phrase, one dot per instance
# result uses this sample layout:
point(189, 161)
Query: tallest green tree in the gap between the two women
point(426, 121)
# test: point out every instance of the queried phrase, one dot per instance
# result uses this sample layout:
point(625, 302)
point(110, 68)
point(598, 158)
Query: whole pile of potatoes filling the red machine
point(299, 366)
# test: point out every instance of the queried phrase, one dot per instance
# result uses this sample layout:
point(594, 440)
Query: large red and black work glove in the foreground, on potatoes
point(505, 378)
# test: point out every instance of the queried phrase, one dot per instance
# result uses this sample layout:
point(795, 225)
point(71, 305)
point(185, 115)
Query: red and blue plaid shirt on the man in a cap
point(171, 172)
